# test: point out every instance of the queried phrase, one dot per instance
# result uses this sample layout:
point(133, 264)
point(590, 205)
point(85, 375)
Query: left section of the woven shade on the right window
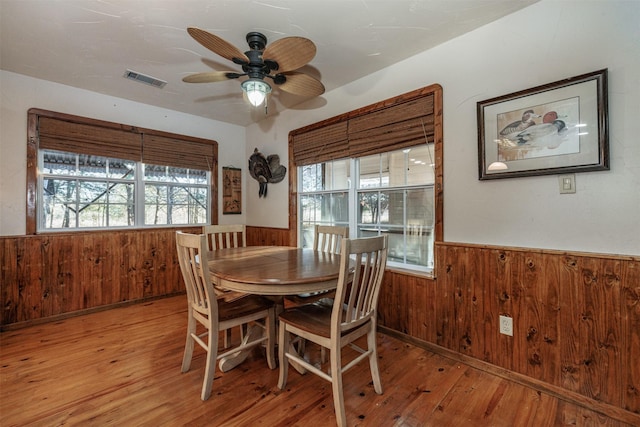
point(321, 145)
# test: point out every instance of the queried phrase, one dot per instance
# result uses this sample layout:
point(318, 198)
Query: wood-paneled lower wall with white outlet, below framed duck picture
point(576, 317)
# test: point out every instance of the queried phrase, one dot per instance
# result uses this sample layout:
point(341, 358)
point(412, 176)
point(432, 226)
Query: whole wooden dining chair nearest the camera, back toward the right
point(353, 315)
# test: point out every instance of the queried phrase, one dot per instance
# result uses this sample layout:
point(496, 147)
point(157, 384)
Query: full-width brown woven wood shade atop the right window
point(384, 127)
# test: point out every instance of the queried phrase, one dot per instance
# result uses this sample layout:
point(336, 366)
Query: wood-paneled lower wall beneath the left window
point(44, 276)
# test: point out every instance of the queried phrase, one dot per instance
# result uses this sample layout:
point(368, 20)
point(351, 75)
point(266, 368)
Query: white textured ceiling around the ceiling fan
point(90, 43)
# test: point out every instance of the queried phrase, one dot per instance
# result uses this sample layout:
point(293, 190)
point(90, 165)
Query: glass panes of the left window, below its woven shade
point(86, 191)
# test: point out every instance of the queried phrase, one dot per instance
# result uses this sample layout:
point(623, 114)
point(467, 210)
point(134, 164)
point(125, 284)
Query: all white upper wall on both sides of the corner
point(546, 42)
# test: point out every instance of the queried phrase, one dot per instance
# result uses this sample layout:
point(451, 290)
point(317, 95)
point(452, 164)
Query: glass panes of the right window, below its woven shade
point(391, 193)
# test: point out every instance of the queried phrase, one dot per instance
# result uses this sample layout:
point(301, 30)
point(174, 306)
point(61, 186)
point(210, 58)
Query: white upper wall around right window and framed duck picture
point(546, 42)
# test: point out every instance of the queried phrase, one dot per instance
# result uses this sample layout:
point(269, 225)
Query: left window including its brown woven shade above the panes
point(96, 175)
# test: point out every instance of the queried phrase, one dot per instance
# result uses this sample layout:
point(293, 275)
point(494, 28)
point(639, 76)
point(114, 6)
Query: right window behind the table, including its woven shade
point(377, 169)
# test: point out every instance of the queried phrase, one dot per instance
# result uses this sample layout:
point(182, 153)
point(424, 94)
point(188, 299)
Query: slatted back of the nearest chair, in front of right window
point(357, 293)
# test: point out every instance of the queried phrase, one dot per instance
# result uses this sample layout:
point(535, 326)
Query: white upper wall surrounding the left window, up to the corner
point(18, 93)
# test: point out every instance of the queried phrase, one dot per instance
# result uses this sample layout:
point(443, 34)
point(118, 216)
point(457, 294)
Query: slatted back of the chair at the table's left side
point(192, 256)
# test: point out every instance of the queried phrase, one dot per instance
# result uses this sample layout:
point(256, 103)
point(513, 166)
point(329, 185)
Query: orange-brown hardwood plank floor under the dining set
point(122, 367)
